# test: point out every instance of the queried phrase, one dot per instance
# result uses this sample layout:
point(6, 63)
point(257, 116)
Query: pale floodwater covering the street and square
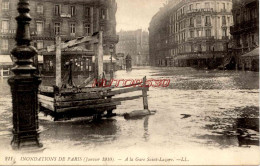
point(199, 112)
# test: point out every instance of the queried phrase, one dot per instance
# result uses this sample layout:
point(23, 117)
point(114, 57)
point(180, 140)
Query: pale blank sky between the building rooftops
point(136, 14)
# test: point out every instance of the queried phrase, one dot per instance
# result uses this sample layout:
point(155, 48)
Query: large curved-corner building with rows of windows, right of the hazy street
point(191, 33)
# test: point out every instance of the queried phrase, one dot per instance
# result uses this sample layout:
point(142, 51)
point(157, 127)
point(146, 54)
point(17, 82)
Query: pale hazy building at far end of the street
point(134, 43)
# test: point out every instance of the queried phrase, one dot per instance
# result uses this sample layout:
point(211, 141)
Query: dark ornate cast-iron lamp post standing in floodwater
point(24, 85)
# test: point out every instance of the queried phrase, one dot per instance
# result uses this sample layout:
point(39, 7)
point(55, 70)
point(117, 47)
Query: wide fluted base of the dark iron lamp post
point(25, 112)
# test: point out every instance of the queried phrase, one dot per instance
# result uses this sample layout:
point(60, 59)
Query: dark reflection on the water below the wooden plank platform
point(85, 131)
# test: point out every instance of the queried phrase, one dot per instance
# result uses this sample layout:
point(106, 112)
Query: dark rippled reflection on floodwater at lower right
point(235, 127)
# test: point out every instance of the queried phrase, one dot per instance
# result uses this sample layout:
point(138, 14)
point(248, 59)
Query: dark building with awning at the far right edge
point(246, 34)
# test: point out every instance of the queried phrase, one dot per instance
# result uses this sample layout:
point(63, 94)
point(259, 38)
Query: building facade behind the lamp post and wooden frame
point(69, 19)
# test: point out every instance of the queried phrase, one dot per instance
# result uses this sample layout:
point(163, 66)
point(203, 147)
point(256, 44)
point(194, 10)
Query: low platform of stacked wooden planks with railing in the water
point(77, 102)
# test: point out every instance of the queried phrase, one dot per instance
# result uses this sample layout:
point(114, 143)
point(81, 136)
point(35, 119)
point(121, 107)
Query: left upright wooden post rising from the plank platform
point(58, 61)
